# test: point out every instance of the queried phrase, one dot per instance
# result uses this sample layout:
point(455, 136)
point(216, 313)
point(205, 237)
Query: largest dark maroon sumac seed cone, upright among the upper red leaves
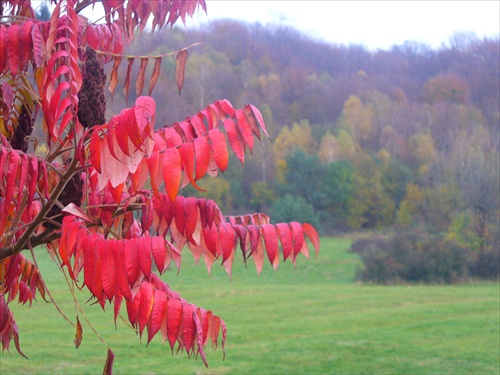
point(92, 98)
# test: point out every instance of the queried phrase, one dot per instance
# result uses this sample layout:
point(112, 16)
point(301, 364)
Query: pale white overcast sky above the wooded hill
point(374, 24)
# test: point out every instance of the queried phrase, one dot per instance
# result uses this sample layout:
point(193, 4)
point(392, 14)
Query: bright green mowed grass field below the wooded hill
point(312, 318)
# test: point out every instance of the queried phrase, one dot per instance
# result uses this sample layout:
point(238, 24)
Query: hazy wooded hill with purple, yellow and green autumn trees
point(407, 136)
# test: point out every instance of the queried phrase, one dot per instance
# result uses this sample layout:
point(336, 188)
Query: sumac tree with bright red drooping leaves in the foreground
point(103, 197)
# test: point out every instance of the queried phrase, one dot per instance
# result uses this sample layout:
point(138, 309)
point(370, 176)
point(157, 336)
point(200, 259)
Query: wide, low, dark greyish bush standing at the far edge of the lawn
point(412, 257)
